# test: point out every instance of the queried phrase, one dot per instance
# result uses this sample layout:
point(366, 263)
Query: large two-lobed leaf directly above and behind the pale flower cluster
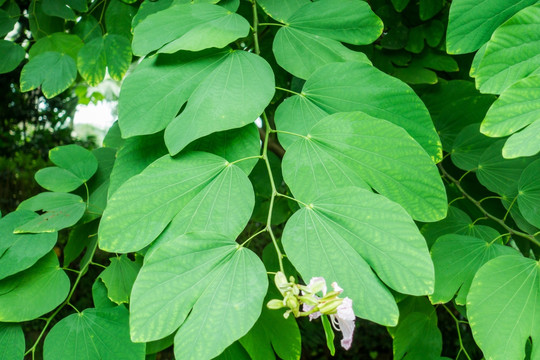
point(346, 232)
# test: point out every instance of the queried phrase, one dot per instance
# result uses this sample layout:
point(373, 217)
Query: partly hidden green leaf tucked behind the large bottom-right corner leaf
point(457, 258)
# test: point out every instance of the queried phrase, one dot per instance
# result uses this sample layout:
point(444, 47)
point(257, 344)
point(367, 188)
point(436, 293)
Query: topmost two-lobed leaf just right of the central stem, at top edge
point(313, 33)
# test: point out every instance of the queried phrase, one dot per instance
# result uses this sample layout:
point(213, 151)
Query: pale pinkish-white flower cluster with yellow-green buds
point(306, 297)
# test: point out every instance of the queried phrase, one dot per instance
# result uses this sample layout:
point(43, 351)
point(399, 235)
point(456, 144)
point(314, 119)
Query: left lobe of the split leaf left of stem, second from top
point(152, 95)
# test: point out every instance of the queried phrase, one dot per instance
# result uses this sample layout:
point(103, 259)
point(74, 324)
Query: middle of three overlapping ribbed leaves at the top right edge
point(511, 53)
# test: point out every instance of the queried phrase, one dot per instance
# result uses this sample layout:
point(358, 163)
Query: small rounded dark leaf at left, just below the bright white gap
point(75, 159)
